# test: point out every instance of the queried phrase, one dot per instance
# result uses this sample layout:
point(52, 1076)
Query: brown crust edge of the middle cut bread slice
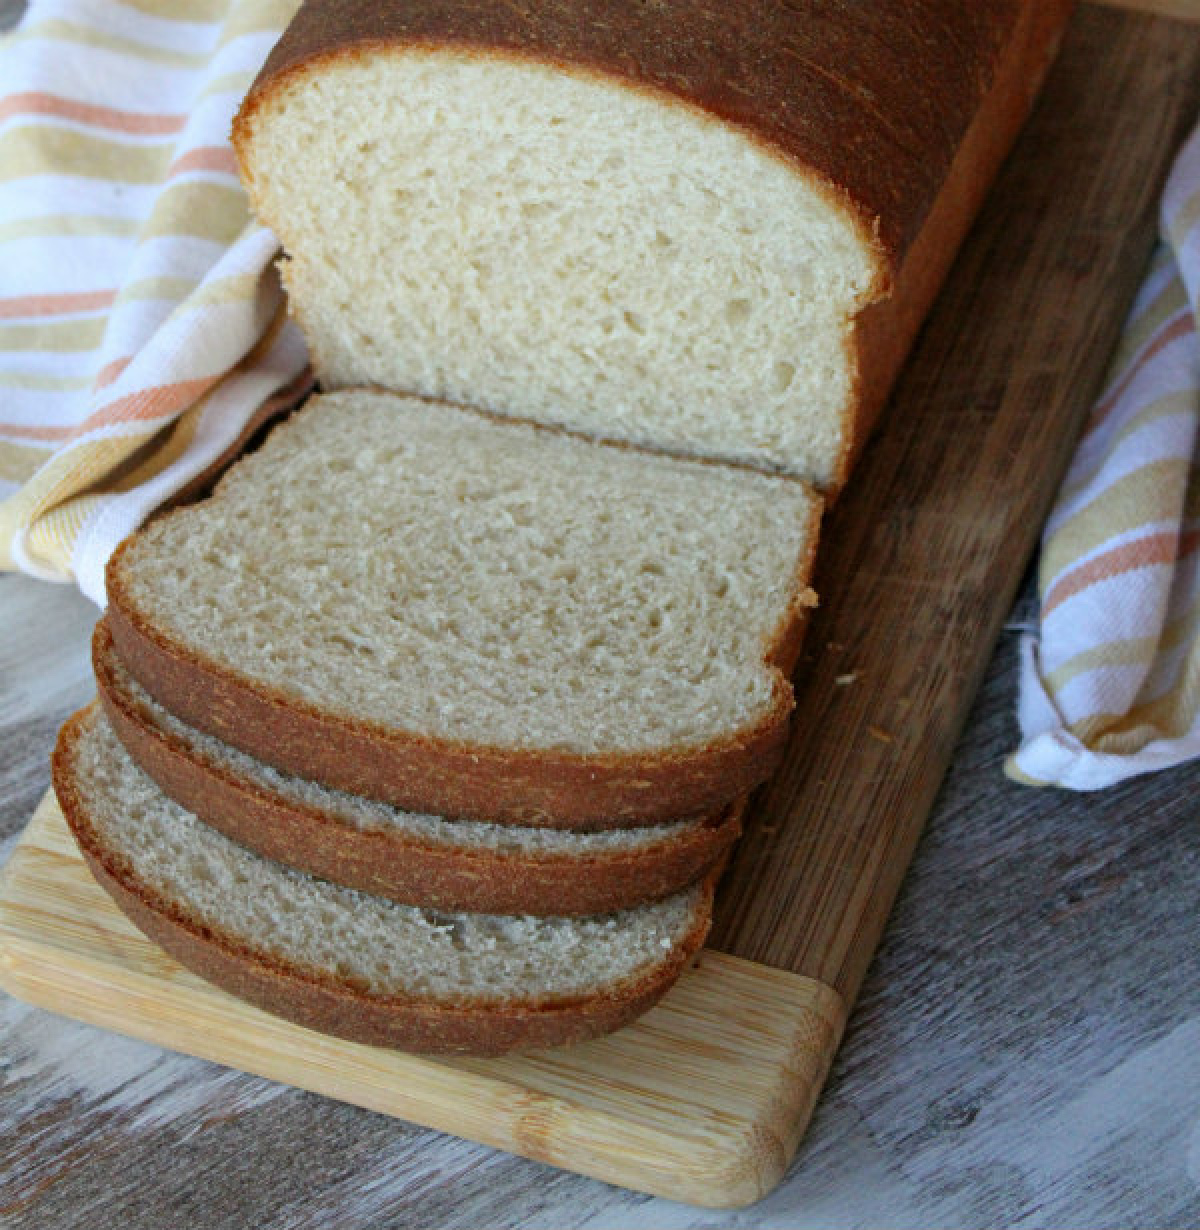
point(404, 867)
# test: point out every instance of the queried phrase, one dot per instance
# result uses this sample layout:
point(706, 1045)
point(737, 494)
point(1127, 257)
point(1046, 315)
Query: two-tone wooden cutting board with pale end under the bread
point(708, 1097)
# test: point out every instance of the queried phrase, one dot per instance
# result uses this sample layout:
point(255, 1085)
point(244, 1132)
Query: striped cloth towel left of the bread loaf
point(143, 334)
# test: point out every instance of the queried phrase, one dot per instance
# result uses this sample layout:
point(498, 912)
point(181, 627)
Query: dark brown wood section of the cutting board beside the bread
point(922, 559)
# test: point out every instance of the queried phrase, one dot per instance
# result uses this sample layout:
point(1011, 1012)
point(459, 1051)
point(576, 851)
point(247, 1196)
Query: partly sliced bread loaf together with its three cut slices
point(432, 728)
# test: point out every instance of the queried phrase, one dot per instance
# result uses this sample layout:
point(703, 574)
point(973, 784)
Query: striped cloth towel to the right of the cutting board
point(1111, 682)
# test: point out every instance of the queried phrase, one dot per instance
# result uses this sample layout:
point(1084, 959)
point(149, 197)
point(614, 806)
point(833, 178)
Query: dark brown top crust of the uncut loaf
point(872, 98)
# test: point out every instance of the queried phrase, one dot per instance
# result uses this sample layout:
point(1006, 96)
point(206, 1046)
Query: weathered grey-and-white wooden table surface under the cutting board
point(1026, 1050)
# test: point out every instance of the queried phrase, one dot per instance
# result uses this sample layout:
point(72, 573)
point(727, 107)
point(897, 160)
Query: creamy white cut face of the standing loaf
point(553, 244)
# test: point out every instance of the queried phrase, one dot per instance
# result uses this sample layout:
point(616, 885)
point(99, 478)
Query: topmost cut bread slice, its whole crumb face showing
point(479, 619)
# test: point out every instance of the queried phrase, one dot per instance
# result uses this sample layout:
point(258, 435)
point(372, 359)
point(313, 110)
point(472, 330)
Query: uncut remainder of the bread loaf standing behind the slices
point(709, 228)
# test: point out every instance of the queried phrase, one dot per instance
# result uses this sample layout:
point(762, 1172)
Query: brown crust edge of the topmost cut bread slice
point(446, 778)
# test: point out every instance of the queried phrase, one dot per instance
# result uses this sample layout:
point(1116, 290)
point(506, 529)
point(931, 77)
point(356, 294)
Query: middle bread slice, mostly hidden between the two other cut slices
point(422, 860)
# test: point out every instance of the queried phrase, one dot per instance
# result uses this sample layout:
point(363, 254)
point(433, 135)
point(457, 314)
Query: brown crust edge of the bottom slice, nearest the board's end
point(320, 1002)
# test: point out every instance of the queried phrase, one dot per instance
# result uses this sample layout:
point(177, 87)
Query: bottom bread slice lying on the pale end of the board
point(349, 964)
